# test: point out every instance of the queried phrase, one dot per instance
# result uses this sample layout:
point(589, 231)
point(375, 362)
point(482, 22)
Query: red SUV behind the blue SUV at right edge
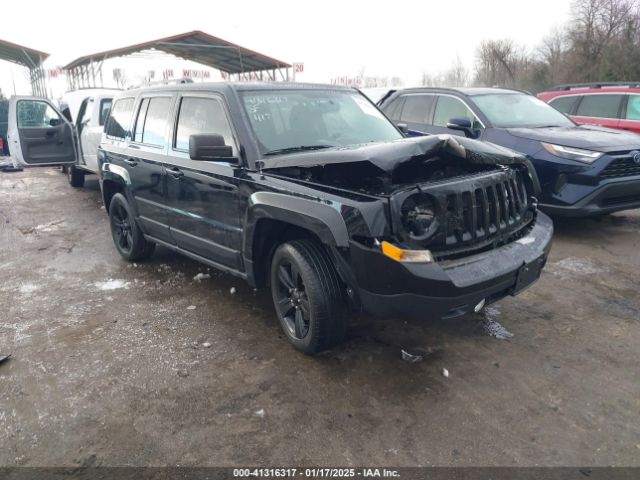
point(612, 105)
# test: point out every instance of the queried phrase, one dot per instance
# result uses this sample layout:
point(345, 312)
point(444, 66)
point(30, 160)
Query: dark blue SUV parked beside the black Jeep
point(584, 170)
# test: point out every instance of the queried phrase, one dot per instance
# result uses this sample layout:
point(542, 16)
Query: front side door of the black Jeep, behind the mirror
point(203, 200)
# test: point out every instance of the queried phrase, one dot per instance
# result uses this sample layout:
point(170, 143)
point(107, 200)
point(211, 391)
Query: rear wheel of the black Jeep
point(126, 233)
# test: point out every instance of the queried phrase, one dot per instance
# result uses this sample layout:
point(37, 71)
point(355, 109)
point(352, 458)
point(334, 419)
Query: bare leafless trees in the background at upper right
point(600, 42)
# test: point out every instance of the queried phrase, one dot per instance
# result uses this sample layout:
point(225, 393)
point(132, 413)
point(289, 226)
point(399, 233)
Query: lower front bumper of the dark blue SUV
point(610, 197)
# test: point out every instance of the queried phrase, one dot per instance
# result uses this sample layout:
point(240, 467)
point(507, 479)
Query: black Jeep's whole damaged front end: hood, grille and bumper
point(460, 226)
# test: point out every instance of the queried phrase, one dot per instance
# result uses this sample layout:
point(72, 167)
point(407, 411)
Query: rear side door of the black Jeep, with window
point(144, 161)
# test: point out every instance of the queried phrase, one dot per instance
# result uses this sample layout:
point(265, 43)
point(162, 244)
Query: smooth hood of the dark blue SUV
point(589, 137)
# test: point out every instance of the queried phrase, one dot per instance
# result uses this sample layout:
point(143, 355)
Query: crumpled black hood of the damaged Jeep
point(388, 156)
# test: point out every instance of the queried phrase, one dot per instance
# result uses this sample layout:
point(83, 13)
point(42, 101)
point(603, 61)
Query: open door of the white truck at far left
point(38, 134)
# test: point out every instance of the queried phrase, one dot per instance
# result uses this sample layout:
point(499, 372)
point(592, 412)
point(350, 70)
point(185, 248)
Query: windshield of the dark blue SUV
point(516, 110)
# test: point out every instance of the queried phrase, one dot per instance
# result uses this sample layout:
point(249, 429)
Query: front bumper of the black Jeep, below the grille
point(451, 288)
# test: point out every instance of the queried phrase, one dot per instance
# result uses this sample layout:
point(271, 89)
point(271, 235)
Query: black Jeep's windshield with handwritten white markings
point(286, 121)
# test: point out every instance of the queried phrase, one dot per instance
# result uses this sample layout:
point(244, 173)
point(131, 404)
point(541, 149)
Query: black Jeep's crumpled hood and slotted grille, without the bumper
point(450, 195)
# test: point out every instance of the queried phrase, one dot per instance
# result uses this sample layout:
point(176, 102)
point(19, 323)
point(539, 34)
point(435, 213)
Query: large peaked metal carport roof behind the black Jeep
point(199, 47)
